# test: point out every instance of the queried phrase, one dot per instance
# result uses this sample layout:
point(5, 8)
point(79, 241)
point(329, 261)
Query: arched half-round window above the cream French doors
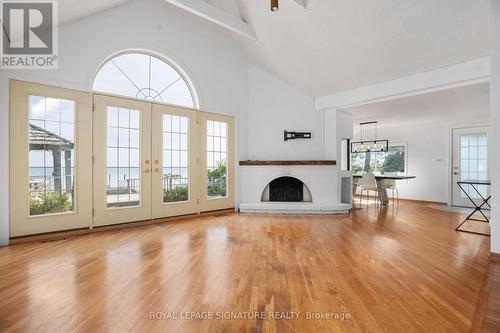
point(144, 76)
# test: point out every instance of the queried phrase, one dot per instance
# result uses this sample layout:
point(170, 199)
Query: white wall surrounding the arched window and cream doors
point(210, 56)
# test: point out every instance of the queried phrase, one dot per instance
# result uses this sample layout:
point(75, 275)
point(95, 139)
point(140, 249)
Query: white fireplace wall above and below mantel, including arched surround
point(274, 107)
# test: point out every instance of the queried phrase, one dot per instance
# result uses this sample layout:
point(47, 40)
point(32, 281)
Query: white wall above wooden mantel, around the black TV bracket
point(275, 107)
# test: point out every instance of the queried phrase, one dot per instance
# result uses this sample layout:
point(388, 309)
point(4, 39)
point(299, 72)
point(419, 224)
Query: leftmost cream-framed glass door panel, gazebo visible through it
point(50, 159)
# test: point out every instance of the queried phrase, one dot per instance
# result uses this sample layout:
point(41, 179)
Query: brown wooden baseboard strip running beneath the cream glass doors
point(57, 235)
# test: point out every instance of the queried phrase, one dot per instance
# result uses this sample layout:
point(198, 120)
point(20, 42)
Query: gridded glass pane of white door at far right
point(474, 162)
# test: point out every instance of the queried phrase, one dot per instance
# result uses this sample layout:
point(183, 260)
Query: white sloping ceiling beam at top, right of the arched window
point(217, 16)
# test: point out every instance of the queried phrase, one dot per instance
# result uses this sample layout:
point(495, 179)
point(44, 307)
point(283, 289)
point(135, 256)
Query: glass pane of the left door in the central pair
point(123, 187)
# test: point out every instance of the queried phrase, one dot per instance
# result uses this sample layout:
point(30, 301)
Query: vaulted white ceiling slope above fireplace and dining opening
point(336, 45)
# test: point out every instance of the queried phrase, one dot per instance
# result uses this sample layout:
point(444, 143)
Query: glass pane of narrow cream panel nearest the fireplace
point(216, 159)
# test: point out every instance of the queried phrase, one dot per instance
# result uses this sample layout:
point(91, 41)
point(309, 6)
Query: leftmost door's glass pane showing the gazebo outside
point(51, 155)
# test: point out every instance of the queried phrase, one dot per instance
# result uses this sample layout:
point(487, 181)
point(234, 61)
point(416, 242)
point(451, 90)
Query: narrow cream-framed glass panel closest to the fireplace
point(216, 161)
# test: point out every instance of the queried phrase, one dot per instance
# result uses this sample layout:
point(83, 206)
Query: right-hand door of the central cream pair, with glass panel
point(175, 190)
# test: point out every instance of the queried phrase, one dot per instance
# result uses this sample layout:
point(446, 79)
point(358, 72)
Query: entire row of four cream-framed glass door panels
point(80, 160)
